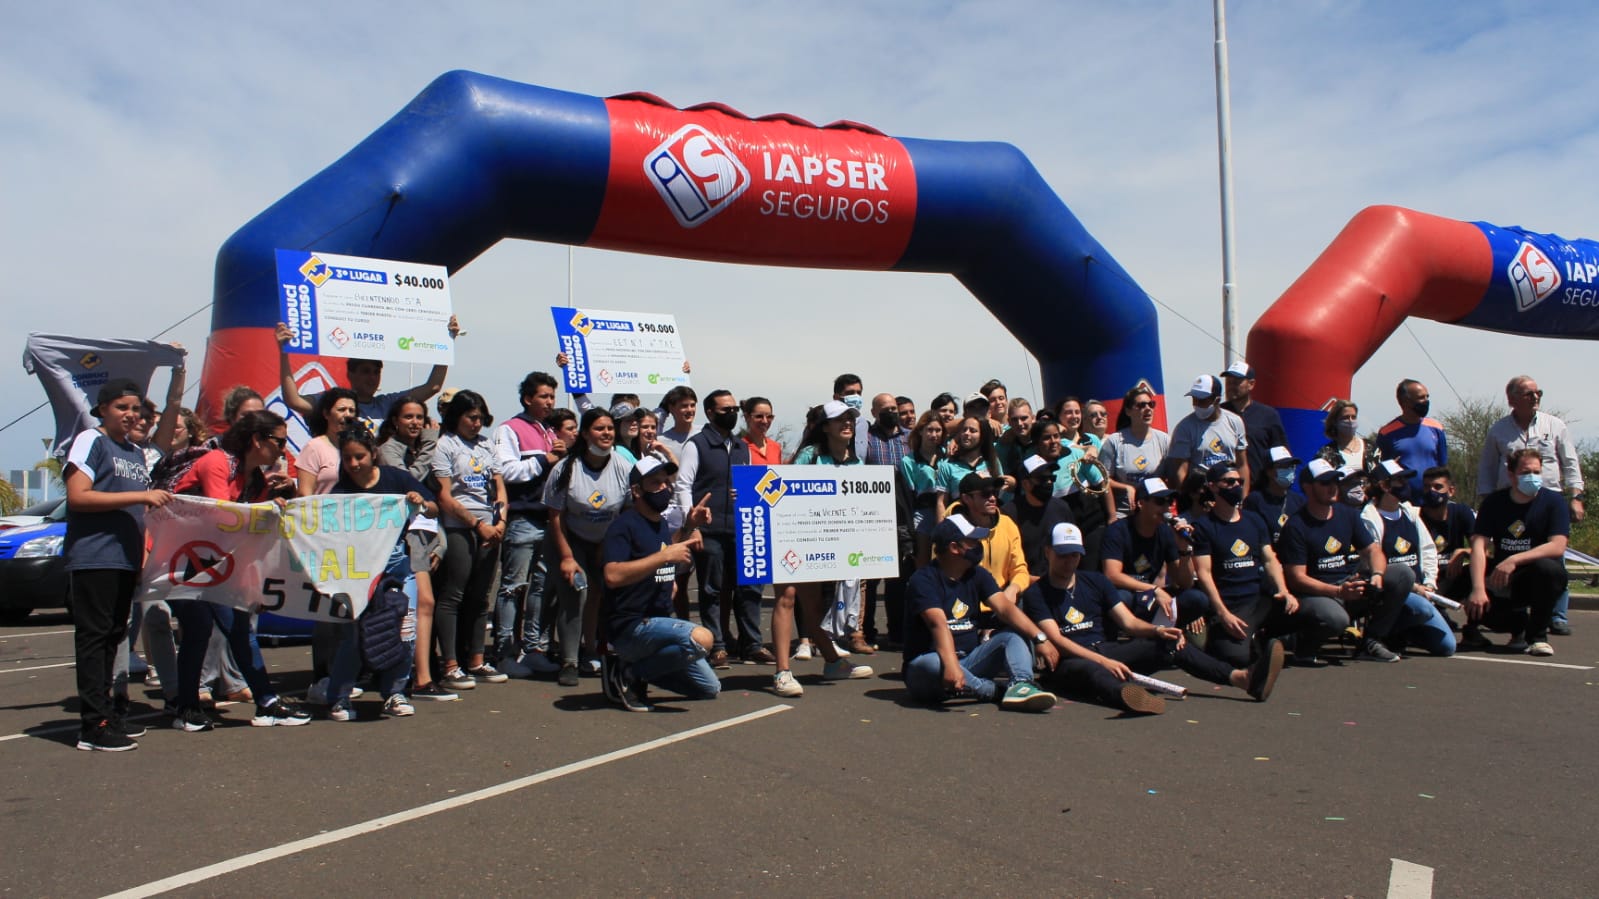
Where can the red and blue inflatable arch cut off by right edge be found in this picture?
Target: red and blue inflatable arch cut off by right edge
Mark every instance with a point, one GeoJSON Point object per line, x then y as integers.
{"type": "Point", "coordinates": [1392, 263]}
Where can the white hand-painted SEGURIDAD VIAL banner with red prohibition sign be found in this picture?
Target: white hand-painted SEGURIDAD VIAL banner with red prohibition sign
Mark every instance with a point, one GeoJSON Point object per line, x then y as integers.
{"type": "Point", "coordinates": [317, 559]}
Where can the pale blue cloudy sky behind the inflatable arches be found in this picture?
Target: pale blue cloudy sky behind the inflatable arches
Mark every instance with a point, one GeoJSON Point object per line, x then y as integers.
{"type": "Point", "coordinates": [138, 137]}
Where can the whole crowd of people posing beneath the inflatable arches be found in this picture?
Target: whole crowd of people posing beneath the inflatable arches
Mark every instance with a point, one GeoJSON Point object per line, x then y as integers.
{"type": "Point", "coordinates": [1040, 551]}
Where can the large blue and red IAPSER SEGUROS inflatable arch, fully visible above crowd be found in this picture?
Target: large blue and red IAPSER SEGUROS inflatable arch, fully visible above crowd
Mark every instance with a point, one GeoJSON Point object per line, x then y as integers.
{"type": "Point", "coordinates": [476, 159]}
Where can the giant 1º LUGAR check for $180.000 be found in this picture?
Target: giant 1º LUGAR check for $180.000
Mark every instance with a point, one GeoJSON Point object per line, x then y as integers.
{"type": "Point", "coordinates": [797, 524]}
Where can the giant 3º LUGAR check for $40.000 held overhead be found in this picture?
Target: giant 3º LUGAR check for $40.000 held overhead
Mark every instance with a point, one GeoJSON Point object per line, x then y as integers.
{"type": "Point", "coordinates": [354, 308]}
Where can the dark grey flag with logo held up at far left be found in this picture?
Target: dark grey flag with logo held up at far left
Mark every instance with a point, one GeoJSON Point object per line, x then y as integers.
{"type": "Point", "coordinates": [73, 370]}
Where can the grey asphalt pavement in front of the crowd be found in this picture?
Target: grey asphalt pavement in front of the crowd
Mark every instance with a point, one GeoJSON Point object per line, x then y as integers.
{"type": "Point", "coordinates": [1477, 775]}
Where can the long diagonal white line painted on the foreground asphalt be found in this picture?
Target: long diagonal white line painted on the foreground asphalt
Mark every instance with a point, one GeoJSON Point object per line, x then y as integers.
{"type": "Point", "coordinates": [201, 874]}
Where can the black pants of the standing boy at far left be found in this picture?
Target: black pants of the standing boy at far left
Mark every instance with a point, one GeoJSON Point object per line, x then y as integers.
{"type": "Point", "coordinates": [102, 602]}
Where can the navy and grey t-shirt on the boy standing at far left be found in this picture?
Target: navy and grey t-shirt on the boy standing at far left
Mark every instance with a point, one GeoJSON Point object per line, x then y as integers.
{"type": "Point", "coordinates": [116, 538]}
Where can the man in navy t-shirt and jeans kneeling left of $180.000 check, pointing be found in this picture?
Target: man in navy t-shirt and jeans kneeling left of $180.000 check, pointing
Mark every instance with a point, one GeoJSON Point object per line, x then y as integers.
{"type": "Point", "coordinates": [642, 554]}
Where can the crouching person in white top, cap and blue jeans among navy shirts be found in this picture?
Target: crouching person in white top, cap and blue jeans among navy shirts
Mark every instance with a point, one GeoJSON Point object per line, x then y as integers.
{"type": "Point", "coordinates": [1398, 529]}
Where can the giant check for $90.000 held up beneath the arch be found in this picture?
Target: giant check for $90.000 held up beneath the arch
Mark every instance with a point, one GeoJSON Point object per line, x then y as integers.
{"type": "Point", "coordinates": [620, 353]}
